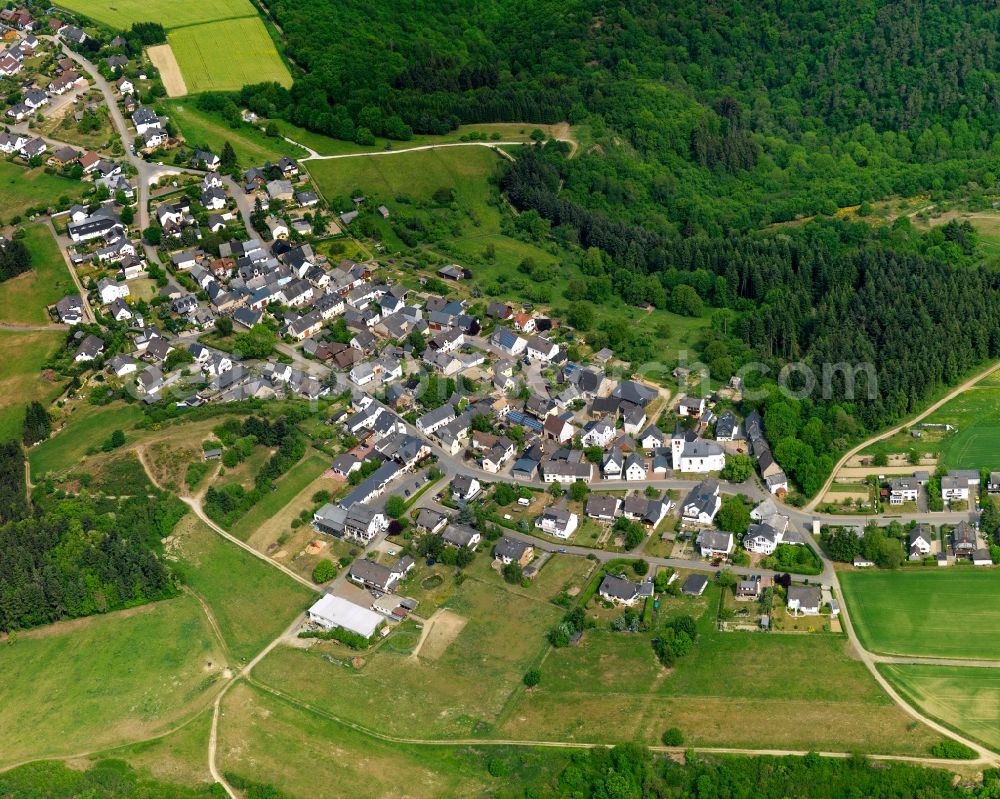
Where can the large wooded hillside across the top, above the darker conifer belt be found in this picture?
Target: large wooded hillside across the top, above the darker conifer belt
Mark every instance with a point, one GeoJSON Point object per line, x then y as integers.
{"type": "Point", "coordinates": [709, 116]}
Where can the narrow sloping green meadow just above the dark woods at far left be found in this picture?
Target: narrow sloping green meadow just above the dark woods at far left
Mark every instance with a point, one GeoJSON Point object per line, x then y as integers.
{"type": "Point", "coordinates": [87, 426]}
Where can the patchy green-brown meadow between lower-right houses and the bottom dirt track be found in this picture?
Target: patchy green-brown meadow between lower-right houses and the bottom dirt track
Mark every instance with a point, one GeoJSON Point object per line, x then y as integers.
{"type": "Point", "coordinates": [801, 690]}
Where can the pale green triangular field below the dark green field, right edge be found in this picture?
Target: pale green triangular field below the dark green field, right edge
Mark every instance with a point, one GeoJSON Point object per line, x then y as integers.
{"type": "Point", "coordinates": [965, 699]}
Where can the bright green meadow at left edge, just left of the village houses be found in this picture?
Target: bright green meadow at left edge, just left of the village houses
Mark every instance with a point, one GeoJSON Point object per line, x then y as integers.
{"type": "Point", "coordinates": [24, 299]}
